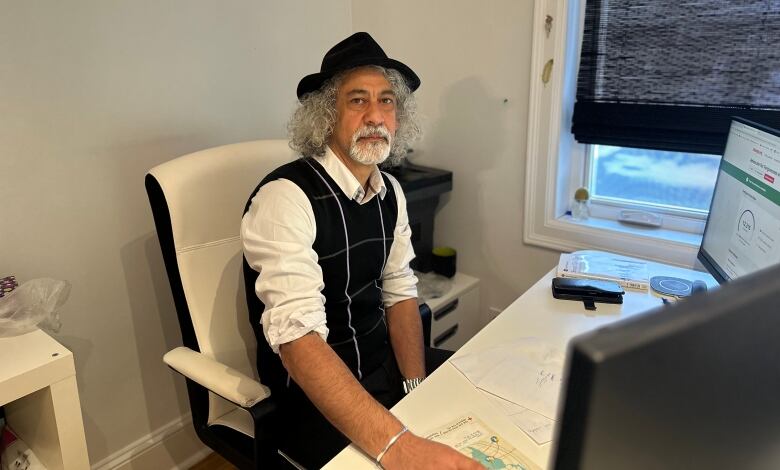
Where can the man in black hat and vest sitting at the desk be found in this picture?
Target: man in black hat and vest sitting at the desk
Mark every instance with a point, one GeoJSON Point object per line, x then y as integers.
{"type": "Point", "coordinates": [327, 250]}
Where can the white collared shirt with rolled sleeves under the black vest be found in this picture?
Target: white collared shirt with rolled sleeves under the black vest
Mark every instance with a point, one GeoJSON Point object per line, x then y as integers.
{"type": "Point", "coordinates": [278, 233]}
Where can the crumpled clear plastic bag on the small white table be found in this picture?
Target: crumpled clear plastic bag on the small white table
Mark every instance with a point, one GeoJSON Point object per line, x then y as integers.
{"type": "Point", "coordinates": [33, 304]}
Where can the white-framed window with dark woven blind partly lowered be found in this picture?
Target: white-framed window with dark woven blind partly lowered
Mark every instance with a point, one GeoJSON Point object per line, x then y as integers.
{"type": "Point", "coordinates": [675, 179]}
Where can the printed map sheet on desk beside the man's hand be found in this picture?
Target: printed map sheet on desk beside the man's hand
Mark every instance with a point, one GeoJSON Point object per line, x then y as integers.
{"type": "Point", "coordinates": [470, 436]}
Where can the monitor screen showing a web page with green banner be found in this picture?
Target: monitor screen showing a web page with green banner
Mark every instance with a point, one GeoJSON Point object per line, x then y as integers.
{"type": "Point", "coordinates": [743, 229]}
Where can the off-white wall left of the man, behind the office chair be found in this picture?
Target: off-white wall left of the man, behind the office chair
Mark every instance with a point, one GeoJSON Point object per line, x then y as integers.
{"type": "Point", "coordinates": [93, 94]}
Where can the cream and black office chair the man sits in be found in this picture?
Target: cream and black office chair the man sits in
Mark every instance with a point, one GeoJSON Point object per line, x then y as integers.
{"type": "Point", "coordinates": [197, 202]}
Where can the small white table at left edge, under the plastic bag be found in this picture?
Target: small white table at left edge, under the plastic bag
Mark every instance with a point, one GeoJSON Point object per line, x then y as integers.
{"type": "Point", "coordinates": [38, 391]}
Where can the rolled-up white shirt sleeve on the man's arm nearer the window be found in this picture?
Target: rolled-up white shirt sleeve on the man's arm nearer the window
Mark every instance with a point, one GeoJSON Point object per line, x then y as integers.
{"type": "Point", "coordinates": [398, 280]}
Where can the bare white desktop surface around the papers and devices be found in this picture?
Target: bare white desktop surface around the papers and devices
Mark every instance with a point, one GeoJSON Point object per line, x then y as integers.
{"type": "Point", "coordinates": [447, 395]}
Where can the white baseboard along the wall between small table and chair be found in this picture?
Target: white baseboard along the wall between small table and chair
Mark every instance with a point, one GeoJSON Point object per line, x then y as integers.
{"type": "Point", "coordinates": [173, 446]}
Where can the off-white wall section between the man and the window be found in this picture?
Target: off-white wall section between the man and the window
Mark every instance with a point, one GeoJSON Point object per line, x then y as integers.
{"type": "Point", "coordinates": [473, 59]}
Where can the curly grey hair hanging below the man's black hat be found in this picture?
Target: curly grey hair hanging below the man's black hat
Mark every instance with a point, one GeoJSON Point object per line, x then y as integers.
{"type": "Point", "coordinates": [312, 123]}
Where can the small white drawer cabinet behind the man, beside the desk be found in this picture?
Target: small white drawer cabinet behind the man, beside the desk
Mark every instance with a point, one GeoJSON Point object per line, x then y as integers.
{"type": "Point", "coordinates": [455, 315]}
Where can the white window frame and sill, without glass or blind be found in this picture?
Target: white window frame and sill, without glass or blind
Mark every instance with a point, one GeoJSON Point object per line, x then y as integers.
{"type": "Point", "coordinates": [555, 163]}
